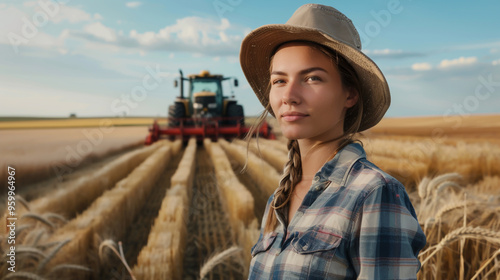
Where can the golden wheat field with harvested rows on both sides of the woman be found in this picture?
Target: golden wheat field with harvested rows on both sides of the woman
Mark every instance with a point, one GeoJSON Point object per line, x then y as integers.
{"type": "Point", "coordinates": [174, 211]}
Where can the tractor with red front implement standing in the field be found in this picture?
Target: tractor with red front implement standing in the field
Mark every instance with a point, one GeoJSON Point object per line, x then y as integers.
{"type": "Point", "coordinates": [205, 113]}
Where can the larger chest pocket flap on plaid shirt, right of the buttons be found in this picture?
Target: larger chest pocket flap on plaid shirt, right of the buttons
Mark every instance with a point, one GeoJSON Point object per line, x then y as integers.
{"type": "Point", "coordinates": [316, 240]}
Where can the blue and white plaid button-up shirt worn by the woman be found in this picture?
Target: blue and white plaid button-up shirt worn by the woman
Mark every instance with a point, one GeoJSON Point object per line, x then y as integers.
{"type": "Point", "coordinates": [355, 222]}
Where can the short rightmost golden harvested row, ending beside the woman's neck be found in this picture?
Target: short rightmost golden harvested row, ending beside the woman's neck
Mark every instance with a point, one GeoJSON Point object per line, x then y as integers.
{"type": "Point", "coordinates": [275, 157]}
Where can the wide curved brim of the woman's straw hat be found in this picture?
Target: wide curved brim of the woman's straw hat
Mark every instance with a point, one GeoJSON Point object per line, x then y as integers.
{"type": "Point", "coordinates": [259, 45]}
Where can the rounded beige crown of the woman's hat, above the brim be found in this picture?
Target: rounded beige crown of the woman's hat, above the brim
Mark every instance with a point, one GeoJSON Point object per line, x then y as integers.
{"type": "Point", "coordinates": [328, 21]}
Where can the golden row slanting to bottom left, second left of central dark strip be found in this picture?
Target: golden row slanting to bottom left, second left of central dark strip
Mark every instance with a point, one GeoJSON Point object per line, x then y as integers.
{"type": "Point", "coordinates": [109, 216]}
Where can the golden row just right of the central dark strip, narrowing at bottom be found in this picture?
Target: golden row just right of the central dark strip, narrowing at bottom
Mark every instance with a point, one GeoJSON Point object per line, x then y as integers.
{"type": "Point", "coordinates": [238, 202]}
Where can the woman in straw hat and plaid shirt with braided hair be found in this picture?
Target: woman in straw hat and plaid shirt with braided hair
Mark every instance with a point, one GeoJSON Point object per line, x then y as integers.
{"type": "Point", "coordinates": [335, 215]}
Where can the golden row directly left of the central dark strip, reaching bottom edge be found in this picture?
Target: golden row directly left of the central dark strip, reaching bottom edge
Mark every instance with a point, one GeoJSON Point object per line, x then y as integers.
{"type": "Point", "coordinates": [162, 257]}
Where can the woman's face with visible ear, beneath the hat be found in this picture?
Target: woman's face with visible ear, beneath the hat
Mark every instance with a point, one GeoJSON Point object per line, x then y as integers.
{"type": "Point", "coordinates": [307, 96]}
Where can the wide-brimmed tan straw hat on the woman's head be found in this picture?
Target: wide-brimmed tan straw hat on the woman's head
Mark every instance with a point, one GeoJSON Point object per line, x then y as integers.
{"type": "Point", "coordinates": [328, 27]}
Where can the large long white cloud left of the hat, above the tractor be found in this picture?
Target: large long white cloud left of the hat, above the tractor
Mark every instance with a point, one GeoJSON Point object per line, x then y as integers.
{"type": "Point", "coordinates": [190, 34]}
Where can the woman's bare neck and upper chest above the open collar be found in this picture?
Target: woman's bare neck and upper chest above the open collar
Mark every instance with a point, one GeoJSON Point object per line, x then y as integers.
{"type": "Point", "coordinates": [314, 155]}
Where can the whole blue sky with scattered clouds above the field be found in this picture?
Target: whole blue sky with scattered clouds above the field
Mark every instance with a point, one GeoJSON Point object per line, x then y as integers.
{"type": "Point", "coordinates": [111, 58]}
